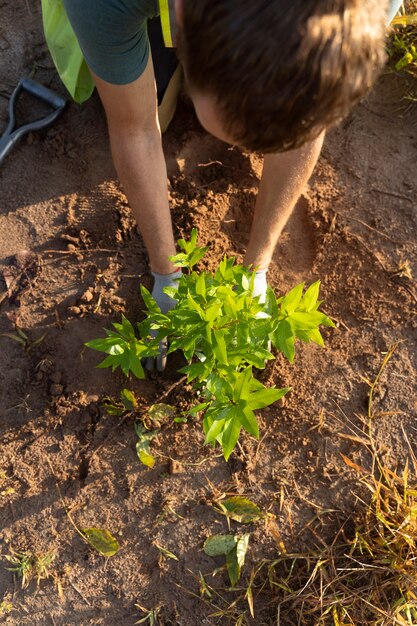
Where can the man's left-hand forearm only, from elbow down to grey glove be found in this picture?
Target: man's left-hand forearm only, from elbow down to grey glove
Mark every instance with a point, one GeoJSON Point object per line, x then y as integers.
{"type": "Point", "coordinates": [140, 164]}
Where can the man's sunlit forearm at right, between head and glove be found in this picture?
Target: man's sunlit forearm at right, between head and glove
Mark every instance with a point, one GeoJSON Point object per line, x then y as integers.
{"type": "Point", "coordinates": [284, 178]}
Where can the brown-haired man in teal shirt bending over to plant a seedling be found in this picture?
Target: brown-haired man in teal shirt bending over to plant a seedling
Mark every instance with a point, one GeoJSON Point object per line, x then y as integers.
{"type": "Point", "coordinates": [268, 75]}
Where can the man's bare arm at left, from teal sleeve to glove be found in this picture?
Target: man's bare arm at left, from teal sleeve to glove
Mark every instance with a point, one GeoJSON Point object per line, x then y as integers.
{"type": "Point", "coordinates": [135, 139]}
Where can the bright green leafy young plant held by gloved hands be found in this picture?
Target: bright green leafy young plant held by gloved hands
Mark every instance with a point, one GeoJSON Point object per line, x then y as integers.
{"type": "Point", "coordinates": [223, 332]}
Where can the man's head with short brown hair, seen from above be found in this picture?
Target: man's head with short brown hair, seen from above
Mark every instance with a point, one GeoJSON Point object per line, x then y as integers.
{"type": "Point", "coordinates": [270, 75]}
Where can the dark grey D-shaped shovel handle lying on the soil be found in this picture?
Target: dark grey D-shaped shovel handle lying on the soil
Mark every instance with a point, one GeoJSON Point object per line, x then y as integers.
{"type": "Point", "coordinates": [12, 135]}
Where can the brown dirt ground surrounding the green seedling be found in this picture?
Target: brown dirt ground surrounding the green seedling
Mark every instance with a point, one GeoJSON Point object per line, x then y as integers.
{"type": "Point", "coordinates": [71, 262]}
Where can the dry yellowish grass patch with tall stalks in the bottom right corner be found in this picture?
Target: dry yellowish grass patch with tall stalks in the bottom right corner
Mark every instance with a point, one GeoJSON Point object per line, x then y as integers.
{"type": "Point", "coordinates": [367, 576]}
